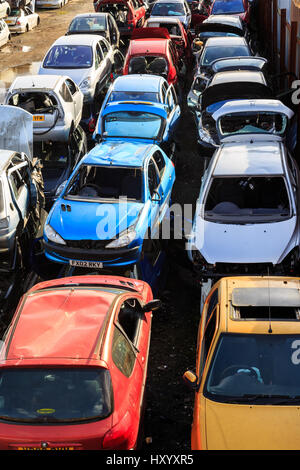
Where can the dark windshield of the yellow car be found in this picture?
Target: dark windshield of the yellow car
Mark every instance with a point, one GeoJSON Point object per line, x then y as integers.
{"type": "Point", "coordinates": [247, 368]}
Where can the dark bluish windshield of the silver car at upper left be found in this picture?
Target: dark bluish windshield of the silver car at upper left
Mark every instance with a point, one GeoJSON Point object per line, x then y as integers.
{"type": "Point", "coordinates": [69, 57]}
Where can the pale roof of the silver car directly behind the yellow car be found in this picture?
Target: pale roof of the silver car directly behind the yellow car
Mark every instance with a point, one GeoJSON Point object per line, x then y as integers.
{"type": "Point", "coordinates": [244, 159]}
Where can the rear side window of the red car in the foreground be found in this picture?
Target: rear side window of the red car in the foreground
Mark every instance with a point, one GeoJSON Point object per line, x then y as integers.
{"type": "Point", "coordinates": [122, 353]}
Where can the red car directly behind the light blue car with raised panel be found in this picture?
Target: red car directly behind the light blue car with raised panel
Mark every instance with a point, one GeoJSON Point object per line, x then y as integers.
{"type": "Point", "coordinates": [151, 50]}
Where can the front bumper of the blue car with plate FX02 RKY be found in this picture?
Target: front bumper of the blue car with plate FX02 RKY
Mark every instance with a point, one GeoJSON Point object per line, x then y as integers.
{"type": "Point", "coordinates": [109, 257]}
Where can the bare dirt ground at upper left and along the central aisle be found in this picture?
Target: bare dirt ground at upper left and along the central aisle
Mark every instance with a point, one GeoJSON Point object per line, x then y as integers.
{"type": "Point", "coordinates": [169, 403]}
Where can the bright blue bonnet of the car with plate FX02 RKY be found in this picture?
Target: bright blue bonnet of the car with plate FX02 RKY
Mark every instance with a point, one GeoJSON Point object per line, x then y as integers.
{"type": "Point", "coordinates": [69, 224]}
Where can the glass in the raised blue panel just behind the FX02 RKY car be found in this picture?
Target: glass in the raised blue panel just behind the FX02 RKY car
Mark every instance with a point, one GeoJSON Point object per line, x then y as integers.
{"type": "Point", "coordinates": [136, 124]}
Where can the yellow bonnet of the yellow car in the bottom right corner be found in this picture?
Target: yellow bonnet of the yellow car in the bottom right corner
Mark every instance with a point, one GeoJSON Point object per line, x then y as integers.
{"type": "Point", "coordinates": [245, 427]}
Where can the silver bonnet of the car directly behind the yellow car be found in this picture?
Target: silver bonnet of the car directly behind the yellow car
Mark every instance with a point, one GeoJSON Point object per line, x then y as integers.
{"type": "Point", "coordinates": [253, 243]}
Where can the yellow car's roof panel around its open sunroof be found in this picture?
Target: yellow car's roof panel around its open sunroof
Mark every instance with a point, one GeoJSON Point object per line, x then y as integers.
{"type": "Point", "coordinates": [234, 288]}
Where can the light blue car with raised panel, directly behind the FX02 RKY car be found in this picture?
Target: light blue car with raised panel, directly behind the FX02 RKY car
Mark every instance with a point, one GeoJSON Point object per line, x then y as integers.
{"type": "Point", "coordinates": [146, 116]}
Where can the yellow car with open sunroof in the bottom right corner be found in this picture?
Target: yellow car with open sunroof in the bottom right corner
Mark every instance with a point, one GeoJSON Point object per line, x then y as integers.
{"type": "Point", "coordinates": [247, 381]}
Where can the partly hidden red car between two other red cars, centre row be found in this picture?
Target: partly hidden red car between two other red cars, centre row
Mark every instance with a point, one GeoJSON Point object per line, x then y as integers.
{"type": "Point", "coordinates": [177, 33]}
